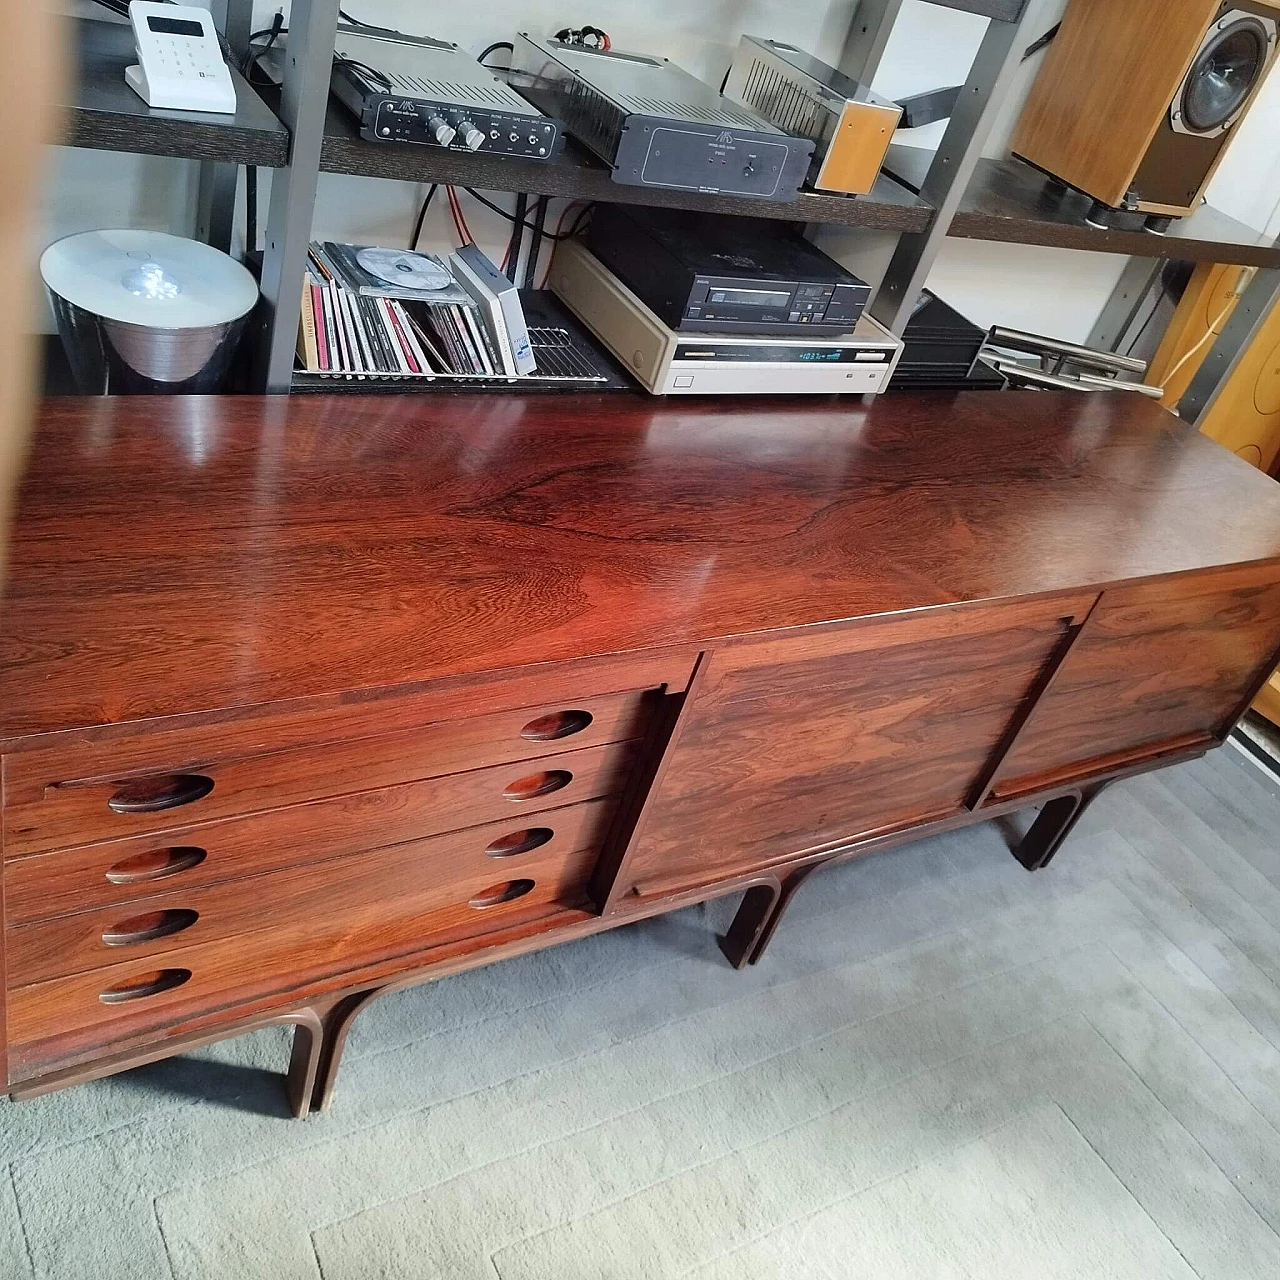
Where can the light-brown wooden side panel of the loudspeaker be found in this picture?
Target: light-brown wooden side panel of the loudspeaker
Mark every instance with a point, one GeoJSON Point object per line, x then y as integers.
{"type": "Point", "coordinates": [1107, 83]}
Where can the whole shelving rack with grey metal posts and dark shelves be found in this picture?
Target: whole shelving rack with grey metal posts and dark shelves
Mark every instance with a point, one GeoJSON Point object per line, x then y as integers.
{"type": "Point", "coordinates": [953, 191]}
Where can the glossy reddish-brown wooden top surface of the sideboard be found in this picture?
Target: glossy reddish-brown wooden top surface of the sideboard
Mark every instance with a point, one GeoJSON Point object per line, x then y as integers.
{"type": "Point", "coordinates": [179, 555]}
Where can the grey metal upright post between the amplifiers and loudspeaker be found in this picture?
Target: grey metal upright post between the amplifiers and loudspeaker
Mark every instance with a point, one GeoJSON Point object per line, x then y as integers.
{"type": "Point", "coordinates": [977, 112]}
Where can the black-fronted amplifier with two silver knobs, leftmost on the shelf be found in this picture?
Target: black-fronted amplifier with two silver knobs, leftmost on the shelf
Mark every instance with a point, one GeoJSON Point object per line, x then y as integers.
{"type": "Point", "coordinates": [405, 89]}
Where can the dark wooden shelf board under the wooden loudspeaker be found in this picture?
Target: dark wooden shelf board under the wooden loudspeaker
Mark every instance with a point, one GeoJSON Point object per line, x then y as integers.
{"type": "Point", "coordinates": [1013, 203]}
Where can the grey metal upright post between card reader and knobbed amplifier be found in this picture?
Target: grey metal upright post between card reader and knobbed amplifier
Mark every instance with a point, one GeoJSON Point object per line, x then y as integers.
{"type": "Point", "coordinates": [304, 99]}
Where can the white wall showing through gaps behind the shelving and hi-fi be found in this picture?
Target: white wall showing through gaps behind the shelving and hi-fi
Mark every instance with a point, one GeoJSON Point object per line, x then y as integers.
{"type": "Point", "coordinates": [1048, 291]}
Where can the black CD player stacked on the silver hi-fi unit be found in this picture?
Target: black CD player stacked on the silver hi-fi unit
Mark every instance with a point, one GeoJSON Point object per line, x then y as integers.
{"type": "Point", "coordinates": [711, 275]}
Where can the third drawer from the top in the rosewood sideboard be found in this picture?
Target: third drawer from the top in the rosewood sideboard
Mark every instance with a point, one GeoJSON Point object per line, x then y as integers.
{"type": "Point", "coordinates": [429, 874]}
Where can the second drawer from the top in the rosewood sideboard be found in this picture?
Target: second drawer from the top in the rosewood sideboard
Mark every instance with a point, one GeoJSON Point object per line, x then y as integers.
{"type": "Point", "coordinates": [126, 871]}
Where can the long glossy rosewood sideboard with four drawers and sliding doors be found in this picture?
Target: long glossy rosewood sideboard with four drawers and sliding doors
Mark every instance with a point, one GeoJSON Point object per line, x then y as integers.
{"type": "Point", "coordinates": [304, 701]}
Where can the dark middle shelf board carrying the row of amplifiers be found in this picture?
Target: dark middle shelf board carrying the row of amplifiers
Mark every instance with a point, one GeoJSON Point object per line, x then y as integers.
{"type": "Point", "coordinates": [577, 176]}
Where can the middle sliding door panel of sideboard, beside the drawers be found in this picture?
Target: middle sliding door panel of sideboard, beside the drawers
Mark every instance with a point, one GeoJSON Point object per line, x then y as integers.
{"type": "Point", "coordinates": [828, 739]}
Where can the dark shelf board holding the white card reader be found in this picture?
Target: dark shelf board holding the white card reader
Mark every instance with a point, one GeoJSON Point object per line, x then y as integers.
{"type": "Point", "coordinates": [108, 116]}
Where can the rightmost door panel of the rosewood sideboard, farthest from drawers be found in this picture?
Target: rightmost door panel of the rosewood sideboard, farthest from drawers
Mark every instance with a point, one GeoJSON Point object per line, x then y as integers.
{"type": "Point", "coordinates": [1159, 664]}
